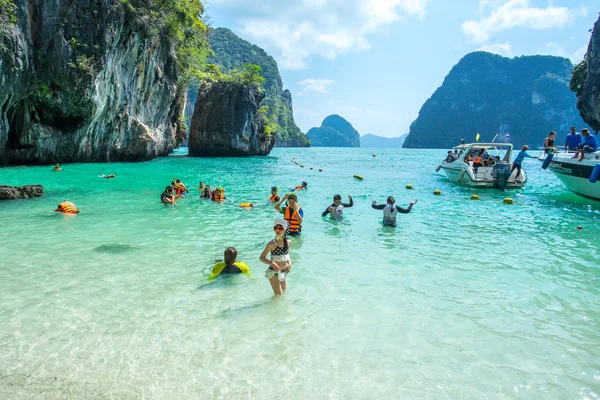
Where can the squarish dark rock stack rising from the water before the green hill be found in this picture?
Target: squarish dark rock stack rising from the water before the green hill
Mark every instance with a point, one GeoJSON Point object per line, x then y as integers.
{"type": "Point", "coordinates": [226, 122]}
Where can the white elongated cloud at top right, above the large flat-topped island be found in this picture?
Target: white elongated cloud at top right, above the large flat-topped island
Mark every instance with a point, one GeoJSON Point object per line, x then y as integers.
{"type": "Point", "coordinates": [517, 13]}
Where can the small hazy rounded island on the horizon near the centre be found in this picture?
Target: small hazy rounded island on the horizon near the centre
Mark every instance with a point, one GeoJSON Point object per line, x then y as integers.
{"type": "Point", "coordinates": [334, 131]}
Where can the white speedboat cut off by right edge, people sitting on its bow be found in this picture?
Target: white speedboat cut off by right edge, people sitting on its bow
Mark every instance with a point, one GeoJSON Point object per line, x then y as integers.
{"type": "Point", "coordinates": [574, 174]}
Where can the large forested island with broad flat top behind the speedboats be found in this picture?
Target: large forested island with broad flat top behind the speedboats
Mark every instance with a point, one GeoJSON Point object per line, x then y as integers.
{"type": "Point", "coordinates": [488, 94]}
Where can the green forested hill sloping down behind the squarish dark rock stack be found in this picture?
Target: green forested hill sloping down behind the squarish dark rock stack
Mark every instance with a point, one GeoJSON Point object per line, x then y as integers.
{"type": "Point", "coordinates": [231, 53]}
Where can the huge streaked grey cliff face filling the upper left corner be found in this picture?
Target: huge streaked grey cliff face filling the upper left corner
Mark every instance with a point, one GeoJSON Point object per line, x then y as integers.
{"type": "Point", "coordinates": [85, 81]}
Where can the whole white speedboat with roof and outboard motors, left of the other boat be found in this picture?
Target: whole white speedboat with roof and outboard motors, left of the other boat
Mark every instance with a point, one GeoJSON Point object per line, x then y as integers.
{"type": "Point", "coordinates": [496, 175]}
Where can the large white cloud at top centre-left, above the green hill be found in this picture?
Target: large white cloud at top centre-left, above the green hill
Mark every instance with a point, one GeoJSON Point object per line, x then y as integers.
{"type": "Point", "coordinates": [295, 31]}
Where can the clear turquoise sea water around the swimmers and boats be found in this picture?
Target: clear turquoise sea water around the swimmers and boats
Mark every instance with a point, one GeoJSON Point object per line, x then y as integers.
{"type": "Point", "coordinates": [464, 299]}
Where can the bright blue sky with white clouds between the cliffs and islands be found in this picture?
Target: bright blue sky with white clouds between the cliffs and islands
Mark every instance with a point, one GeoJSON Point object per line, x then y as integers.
{"type": "Point", "coordinates": [375, 62]}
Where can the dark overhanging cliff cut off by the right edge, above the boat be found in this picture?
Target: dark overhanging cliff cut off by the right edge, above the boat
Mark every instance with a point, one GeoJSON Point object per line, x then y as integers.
{"type": "Point", "coordinates": [589, 100]}
